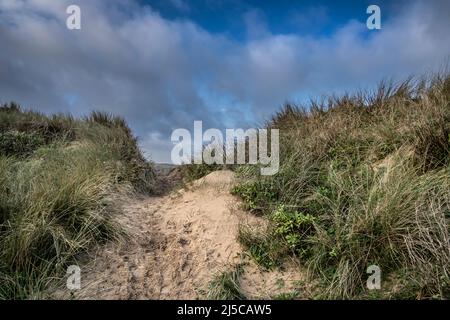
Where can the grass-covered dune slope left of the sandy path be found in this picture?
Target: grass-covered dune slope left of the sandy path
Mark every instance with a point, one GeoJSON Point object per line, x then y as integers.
{"type": "Point", "coordinates": [58, 178]}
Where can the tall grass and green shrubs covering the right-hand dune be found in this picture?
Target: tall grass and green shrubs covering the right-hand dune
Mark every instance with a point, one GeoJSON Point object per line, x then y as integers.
{"type": "Point", "coordinates": [364, 179]}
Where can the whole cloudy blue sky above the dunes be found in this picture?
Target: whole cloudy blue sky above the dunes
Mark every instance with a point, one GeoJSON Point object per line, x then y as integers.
{"type": "Point", "coordinates": [163, 64]}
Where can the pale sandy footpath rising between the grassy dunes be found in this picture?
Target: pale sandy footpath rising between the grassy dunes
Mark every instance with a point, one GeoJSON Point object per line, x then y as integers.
{"type": "Point", "coordinates": [177, 243]}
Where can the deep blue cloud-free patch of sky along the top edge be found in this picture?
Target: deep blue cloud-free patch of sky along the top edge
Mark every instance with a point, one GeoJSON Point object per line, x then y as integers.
{"type": "Point", "coordinates": [316, 18]}
